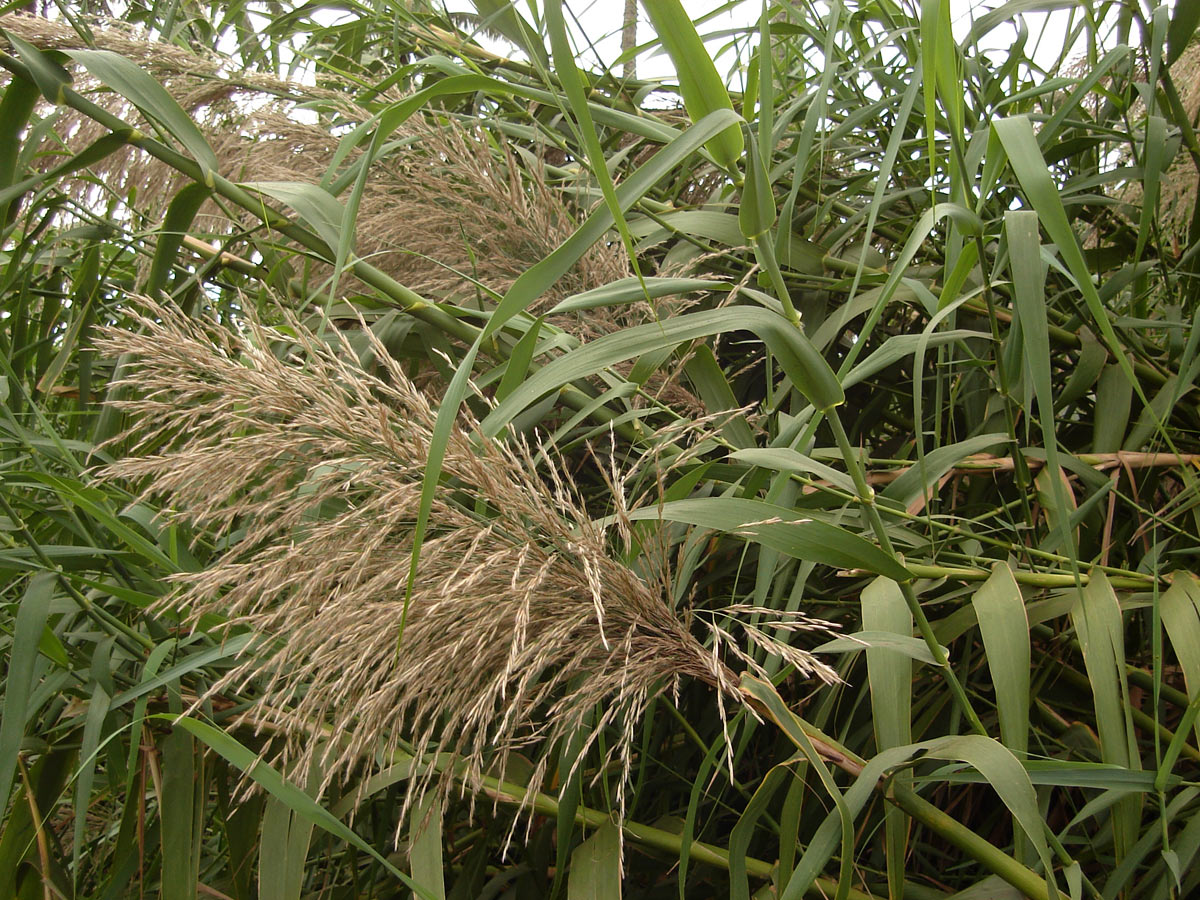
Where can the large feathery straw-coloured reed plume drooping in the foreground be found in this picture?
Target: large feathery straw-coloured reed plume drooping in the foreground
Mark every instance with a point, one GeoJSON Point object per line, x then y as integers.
{"type": "Point", "coordinates": [521, 629]}
